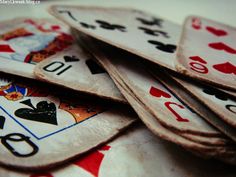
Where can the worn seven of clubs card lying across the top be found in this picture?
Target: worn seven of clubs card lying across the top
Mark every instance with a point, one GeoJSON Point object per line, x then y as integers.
{"type": "Point", "coordinates": [143, 34]}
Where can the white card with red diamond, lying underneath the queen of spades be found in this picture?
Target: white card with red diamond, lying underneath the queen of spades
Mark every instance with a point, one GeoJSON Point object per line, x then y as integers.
{"type": "Point", "coordinates": [134, 154]}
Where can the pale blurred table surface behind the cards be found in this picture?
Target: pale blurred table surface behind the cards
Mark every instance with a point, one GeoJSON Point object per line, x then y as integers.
{"type": "Point", "coordinates": [174, 10]}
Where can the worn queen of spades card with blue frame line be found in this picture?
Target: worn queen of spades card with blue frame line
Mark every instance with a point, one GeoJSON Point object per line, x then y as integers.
{"type": "Point", "coordinates": [42, 126]}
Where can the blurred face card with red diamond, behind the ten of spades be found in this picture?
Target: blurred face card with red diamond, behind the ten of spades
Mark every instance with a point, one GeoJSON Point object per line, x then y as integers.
{"type": "Point", "coordinates": [25, 42]}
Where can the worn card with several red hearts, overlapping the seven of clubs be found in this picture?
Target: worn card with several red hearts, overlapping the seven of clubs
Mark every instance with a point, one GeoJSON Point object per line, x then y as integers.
{"type": "Point", "coordinates": [207, 51]}
